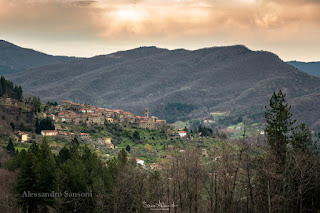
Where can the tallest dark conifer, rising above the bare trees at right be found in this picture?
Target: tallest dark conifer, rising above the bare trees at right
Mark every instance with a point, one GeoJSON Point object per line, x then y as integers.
{"type": "Point", "coordinates": [279, 122]}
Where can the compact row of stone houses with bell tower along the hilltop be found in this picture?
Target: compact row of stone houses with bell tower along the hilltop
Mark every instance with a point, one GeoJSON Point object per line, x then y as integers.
{"type": "Point", "coordinates": [89, 115]}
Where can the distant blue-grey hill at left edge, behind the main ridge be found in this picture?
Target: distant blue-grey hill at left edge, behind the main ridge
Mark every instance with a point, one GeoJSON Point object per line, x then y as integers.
{"type": "Point", "coordinates": [15, 59]}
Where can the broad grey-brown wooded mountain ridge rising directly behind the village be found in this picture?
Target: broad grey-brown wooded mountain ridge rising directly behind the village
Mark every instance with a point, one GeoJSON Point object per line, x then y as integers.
{"type": "Point", "coordinates": [179, 84]}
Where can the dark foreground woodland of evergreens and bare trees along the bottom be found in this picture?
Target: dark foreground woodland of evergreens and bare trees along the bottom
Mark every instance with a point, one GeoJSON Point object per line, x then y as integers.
{"type": "Point", "coordinates": [231, 176]}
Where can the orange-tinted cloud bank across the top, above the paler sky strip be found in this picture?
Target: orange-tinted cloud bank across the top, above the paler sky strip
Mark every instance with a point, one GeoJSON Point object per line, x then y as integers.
{"type": "Point", "coordinates": [150, 17]}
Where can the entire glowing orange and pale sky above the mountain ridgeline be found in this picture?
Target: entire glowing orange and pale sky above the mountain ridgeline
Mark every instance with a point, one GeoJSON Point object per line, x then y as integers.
{"type": "Point", "coordinates": [288, 28]}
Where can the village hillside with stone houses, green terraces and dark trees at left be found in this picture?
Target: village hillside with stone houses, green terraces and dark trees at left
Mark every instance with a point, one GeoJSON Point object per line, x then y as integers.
{"type": "Point", "coordinates": [28, 121]}
